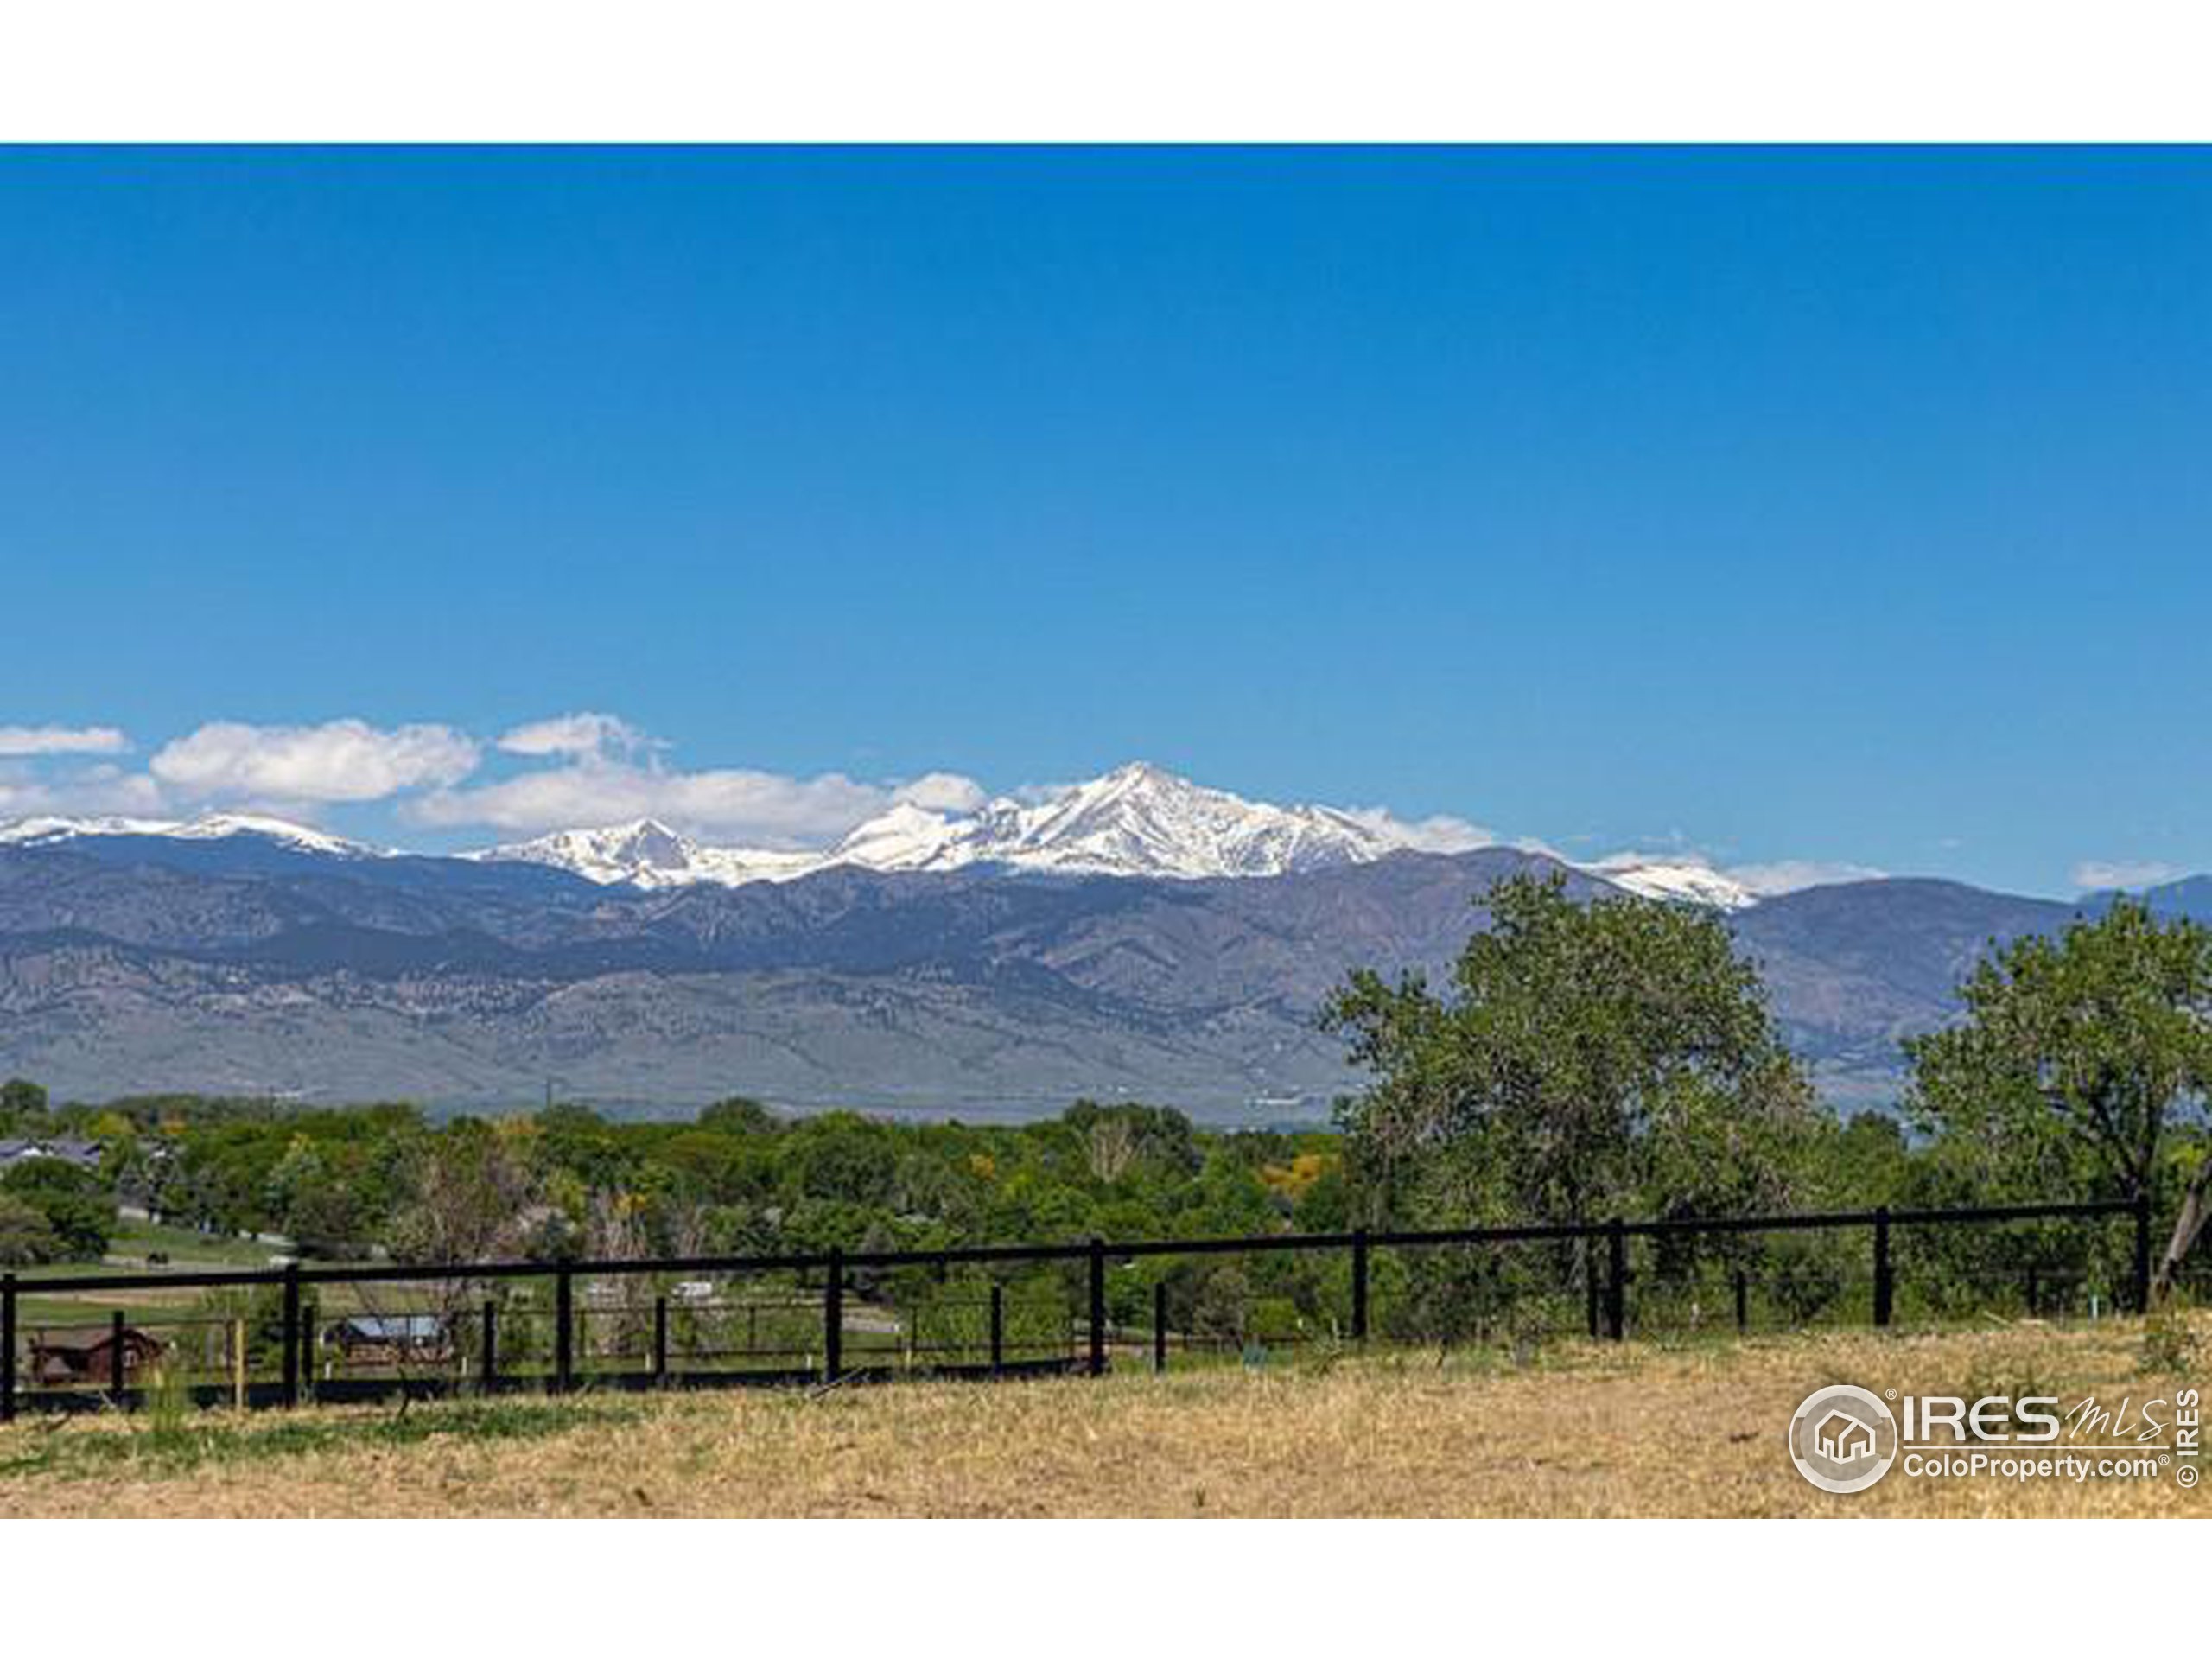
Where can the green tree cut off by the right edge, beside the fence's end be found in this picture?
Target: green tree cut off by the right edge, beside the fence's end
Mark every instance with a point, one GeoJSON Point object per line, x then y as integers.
{"type": "Point", "coordinates": [2083, 1065]}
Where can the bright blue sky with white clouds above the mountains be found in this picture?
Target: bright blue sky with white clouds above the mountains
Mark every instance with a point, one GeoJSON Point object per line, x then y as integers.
{"type": "Point", "coordinates": [1773, 505]}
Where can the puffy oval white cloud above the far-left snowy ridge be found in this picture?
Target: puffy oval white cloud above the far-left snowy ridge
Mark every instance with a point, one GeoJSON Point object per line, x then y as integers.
{"type": "Point", "coordinates": [313, 764]}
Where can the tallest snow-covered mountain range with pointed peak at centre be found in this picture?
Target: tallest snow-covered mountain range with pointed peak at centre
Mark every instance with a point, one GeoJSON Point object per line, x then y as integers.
{"type": "Point", "coordinates": [1134, 822]}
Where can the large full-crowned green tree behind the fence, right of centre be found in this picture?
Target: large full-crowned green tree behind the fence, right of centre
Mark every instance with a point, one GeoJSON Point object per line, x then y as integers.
{"type": "Point", "coordinates": [1592, 1058]}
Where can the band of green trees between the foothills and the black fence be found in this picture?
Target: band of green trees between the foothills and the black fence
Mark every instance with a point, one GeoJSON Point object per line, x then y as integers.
{"type": "Point", "coordinates": [1583, 1061]}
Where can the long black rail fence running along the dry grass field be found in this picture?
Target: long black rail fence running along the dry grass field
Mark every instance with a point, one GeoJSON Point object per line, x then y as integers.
{"type": "Point", "coordinates": [373, 1331]}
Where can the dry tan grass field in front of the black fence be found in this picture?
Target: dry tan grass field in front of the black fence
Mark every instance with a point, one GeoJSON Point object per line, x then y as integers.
{"type": "Point", "coordinates": [1583, 1430]}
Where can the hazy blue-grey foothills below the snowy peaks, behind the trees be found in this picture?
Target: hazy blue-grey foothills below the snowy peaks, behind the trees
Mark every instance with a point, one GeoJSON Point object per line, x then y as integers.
{"type": "Point", "coordinates": [132, 966]}
